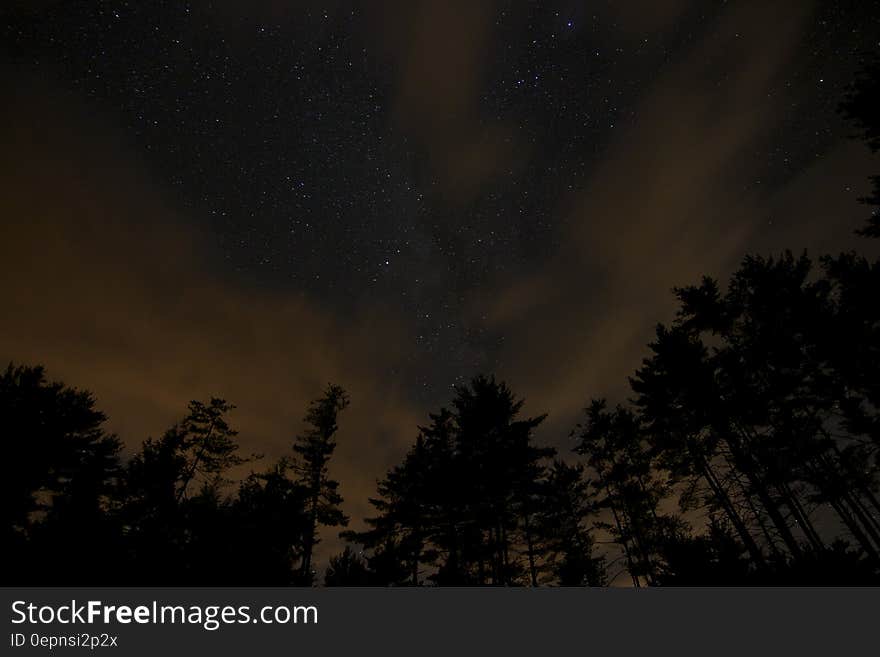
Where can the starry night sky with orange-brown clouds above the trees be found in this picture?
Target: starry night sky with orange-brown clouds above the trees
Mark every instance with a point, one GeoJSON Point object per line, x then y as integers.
{"type": "Point", "coordinates": [253, 199]}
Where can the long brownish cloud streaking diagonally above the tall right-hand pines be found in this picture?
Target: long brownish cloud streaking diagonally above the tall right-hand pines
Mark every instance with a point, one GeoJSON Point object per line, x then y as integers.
{"type": "Point", "coordinates": [669, 201]}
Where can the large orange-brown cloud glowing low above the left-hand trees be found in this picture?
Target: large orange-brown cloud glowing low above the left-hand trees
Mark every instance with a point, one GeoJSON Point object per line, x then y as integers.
{"type": "Point", "coordinates": [107, 283]}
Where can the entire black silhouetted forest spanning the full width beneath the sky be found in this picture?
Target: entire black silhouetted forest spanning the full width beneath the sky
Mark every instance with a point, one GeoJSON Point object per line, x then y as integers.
{"type": "Point", "coordinates": [747, 454]}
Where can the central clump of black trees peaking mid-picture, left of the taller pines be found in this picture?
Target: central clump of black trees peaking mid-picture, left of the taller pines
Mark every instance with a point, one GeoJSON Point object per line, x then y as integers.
{"type": "Point", "coordinates": [475, 502]}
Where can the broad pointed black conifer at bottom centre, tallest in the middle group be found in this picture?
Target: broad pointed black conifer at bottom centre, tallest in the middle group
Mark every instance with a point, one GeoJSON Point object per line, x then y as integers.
{"type": "Point", "coordinates": [464, 504]}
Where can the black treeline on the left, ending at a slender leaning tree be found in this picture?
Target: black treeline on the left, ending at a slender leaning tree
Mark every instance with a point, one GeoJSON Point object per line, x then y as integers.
{"type": "Point", "coordinates": [74, 512]}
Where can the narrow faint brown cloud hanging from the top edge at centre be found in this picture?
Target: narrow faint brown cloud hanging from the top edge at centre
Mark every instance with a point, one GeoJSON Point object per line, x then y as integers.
{"type": "Point", "coordinates": [439, 54]}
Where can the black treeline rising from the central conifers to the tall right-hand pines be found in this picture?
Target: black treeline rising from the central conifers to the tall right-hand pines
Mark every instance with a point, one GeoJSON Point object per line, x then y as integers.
{"type": "Point", "coordinates": [748, 453]}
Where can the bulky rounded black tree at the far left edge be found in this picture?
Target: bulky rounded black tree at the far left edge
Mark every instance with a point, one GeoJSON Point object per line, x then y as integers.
{"type": "Point", "coordinates": [61, 466]}
